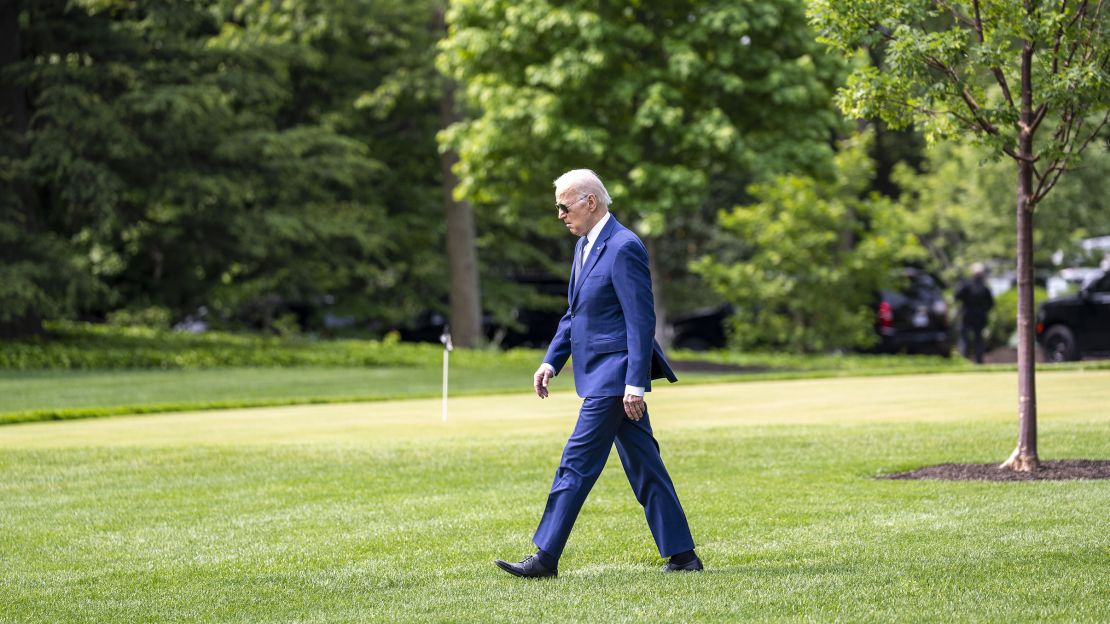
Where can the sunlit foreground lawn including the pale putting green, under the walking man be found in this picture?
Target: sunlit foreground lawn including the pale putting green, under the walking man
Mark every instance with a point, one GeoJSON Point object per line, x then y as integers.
{"type": "Point", "coordinates": [380, 512]}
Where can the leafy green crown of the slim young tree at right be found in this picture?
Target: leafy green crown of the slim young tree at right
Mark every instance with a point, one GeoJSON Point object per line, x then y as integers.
{"type": "Point", "coordinates": [954, 68]}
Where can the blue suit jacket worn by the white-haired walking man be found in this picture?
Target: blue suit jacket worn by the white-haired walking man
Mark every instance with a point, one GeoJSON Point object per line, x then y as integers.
{"type": "Point", "coordinates": [610, 326]}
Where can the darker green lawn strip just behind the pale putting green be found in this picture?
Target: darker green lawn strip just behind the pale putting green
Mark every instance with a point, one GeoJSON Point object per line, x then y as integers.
{"type": "Point", "coordinates": [32, 396]}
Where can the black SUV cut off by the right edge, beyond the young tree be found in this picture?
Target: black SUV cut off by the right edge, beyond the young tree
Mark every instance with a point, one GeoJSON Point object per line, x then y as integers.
{"type": "Point", "coordinates": [1072, 327]}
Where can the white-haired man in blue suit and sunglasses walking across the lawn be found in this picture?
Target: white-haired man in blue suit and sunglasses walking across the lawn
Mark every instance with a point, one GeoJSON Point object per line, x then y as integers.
{"type": "Point", "coordinates": [609, 329]}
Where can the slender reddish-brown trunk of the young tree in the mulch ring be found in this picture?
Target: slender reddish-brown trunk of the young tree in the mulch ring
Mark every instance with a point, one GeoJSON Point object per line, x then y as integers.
{"type": "Point", "coordinates": [1025, 458]}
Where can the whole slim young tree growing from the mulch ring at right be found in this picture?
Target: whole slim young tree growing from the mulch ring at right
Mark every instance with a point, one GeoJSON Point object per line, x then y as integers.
{"type": "Point", "coordinates": [997, 74]}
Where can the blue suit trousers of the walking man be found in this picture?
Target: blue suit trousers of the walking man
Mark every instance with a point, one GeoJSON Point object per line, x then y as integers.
{"type": "Point", "coordinates": [601, 422]}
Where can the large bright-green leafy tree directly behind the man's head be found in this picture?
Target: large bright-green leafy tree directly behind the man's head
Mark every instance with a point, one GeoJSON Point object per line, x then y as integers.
{"type": "Point", "coordinates": [664, 100]}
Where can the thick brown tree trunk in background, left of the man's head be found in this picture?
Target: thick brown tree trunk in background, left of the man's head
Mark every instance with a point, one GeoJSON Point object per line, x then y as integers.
{"type": "Point", "coordinates": [462, 250]}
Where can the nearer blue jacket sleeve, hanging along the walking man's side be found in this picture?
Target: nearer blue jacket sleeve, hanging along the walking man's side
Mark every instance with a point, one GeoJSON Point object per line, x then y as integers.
{"type": "Point", "coordinates": [632, 280]}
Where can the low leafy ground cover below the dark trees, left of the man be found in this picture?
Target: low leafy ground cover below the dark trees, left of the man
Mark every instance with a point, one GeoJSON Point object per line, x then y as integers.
{"type": "Point", "coordinates": [88, 347]}
